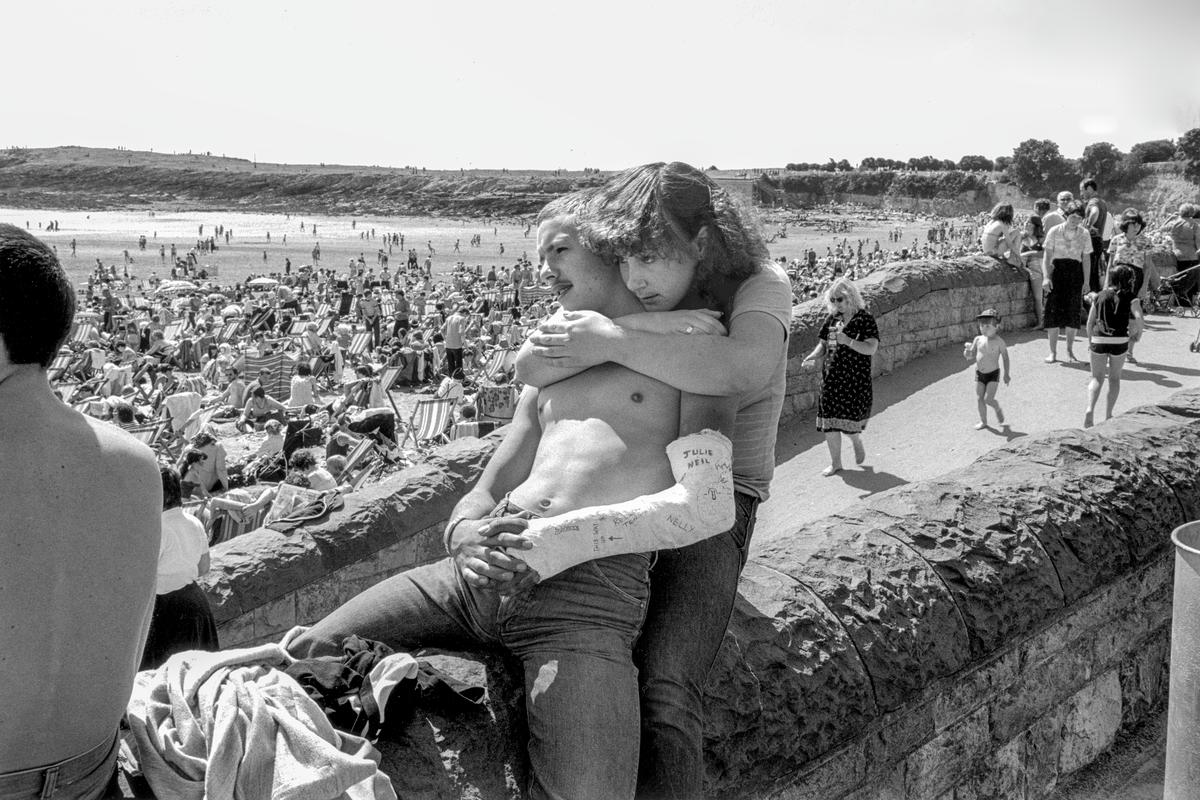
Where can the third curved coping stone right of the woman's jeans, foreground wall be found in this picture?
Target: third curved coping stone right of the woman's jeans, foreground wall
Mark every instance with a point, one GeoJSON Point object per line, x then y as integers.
{"type": "Point", "coordinates": [1003, 580]}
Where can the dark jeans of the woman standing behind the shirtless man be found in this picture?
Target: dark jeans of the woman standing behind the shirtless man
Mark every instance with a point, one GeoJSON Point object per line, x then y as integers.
{"type": "Point", "coordinates": [693, 593]}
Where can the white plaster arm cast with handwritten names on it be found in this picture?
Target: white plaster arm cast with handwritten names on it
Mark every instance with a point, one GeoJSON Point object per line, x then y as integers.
{"type": "Point", "coordinates": [698, 507]}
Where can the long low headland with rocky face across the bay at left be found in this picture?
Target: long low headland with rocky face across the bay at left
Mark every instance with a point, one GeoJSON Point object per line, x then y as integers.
{"type": "Point", "coordinates": [82, 178]}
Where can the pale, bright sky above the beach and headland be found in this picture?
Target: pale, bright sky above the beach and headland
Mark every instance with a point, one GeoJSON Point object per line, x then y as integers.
{"type": "Point", "coordinates": [533, 85]}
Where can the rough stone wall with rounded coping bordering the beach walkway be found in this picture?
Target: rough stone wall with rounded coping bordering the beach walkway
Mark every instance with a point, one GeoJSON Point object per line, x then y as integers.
{"type": "Point", "coordinates": [975, 636]}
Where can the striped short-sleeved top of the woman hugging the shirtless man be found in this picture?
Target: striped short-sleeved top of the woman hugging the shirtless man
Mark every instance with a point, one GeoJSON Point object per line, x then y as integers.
{"type": "Point", "coordinates": [757, 425]}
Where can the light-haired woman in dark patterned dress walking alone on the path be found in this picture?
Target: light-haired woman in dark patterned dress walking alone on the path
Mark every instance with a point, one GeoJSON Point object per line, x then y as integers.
{"type": "Point", "coordinates": [849, 340]}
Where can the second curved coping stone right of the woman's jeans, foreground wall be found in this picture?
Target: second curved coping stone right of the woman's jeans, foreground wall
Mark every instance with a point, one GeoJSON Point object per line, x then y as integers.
{"type": "Point", "coordinates": [897, 610]}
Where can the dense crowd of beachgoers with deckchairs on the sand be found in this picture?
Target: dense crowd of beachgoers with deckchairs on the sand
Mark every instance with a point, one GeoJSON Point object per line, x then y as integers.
{"type": "Point", "coordinates": [327, 378]}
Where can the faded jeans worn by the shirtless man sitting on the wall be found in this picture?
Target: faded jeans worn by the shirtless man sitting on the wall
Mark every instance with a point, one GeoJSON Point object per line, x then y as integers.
{"type": "Point", "coordinates": [574, 635]}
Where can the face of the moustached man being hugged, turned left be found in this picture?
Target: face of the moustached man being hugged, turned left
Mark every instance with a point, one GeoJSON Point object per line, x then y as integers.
{"type": "Point", "coordinates": [580, 280]}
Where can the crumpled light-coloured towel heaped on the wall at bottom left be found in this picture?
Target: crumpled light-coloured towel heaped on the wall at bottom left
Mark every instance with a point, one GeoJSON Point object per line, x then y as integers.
{"type": "Point", "coordinates": [232, 725]}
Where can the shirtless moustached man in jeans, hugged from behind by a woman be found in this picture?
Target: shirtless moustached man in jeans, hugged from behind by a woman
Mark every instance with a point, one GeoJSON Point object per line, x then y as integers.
{"type": "Point", "coordinates": [596, 440]}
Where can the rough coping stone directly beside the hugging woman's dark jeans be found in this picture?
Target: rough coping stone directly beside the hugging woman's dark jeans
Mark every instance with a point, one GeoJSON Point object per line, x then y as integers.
{"type": "Point", "coordinates": [788, 682]}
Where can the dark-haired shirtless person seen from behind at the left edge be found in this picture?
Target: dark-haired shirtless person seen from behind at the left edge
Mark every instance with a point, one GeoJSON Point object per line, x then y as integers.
{"type": "Point", "coordinates": [80, 532]}
